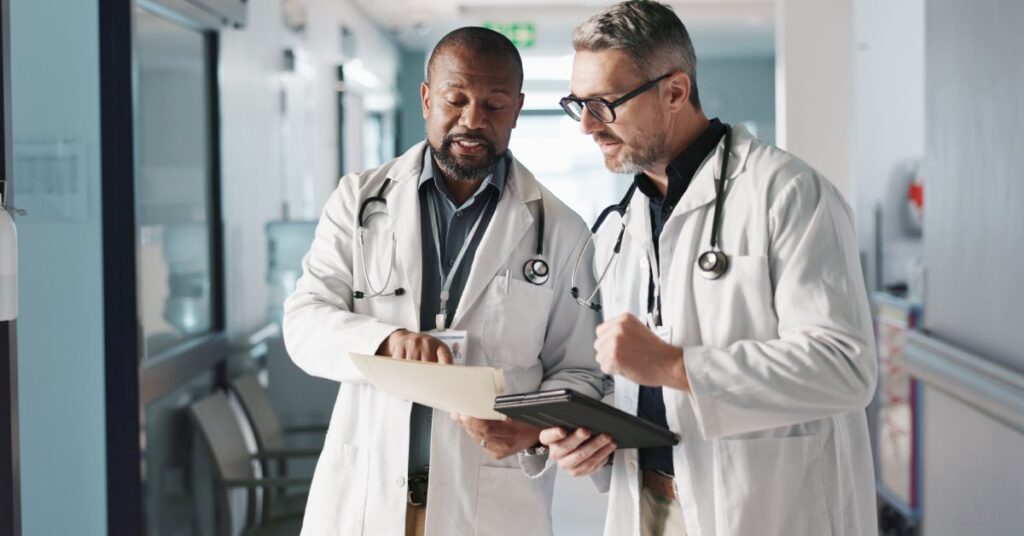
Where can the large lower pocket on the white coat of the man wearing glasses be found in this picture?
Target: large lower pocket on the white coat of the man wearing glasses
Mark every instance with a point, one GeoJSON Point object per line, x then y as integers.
{"type": "Point", "coordinates": [772, 487]}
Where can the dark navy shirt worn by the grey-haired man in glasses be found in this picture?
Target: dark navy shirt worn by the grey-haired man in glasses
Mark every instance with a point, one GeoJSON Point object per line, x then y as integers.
{"type": "Point", "coordinates": [680, 174]}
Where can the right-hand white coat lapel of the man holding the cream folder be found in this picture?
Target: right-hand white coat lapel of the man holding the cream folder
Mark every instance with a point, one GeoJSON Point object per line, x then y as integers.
{"type": "Point", "coordinates": [507, 229]}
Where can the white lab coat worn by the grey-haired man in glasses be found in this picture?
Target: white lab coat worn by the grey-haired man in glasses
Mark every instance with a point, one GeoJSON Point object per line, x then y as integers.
{"type": "Point", "coordinates": [780, 353]}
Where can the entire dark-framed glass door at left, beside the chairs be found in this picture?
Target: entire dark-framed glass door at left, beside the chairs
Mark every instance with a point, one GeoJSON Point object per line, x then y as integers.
{"type": "Point", "coordinates": [165, 341]}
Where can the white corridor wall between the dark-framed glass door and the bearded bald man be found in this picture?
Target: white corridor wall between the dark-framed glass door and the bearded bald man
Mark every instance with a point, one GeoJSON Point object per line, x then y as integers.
{"type": "Point", "coordinates": [261, 145]}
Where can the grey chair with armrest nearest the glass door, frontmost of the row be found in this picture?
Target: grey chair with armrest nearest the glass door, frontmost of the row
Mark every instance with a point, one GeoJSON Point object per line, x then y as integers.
{"type": "Point", "coordinates": [234, 469]}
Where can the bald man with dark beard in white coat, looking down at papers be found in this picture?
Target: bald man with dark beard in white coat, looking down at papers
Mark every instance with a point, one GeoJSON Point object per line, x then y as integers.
{"type": "Point", "coordinates": [455, 240]}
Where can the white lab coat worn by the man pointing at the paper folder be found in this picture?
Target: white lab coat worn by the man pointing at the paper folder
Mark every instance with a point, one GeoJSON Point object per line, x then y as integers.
{"type": "Point", "coordinates": [537, 335]}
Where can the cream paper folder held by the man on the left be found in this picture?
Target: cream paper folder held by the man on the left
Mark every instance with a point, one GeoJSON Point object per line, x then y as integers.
{"type": "Point", "coordinates": [455, 389]}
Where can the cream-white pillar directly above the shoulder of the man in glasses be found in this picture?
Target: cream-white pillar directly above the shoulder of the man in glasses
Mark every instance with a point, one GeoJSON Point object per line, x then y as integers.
{"type": "Point", "coordinates": [813, 85]}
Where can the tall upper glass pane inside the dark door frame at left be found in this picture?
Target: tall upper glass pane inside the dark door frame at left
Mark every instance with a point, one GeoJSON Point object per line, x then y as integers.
{"type": "Point", "coordinates": [174, 178]}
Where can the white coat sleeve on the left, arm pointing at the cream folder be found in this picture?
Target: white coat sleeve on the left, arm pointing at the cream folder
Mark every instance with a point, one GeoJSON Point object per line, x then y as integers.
{"type": "Point", "coordinates": [319, 325]}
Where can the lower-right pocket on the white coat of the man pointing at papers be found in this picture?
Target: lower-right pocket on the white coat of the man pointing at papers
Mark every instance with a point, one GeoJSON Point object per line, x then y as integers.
{"type": "Point", "coordinates": [510, 504]}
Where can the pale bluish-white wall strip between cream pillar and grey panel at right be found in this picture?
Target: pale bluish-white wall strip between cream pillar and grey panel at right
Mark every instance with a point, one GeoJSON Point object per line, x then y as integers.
{"type": "Point", "coordinates": [887, 126]}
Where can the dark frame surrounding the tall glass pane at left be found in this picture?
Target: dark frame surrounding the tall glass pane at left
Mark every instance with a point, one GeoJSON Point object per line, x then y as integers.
{"type": "Point", "coordinates": [134, 382]}
